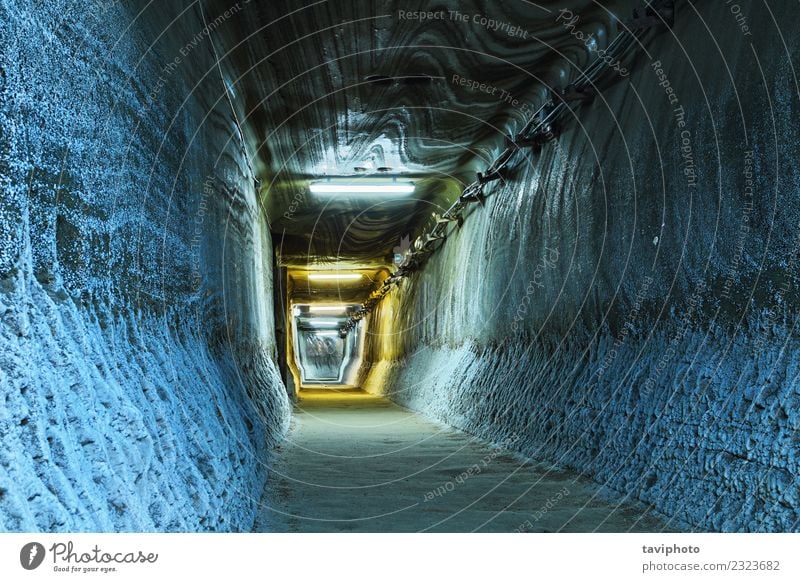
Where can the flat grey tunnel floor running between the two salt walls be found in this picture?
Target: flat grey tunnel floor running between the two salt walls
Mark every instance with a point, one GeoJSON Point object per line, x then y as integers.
{"type": "Point", "coordinates": [353, 462]}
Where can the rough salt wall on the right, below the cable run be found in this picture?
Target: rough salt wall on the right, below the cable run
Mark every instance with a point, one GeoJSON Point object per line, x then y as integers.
{"type": "Point", "coordinates": [621, 320]}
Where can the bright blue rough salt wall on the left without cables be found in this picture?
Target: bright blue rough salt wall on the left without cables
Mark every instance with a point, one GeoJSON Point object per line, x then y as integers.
{"type": "Point", "coordinates": [135, 277]}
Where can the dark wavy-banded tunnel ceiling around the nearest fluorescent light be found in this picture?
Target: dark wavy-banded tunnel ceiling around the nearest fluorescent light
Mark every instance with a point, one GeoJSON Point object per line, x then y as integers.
{"type": "Point", "coordinates": [329, 86]}
